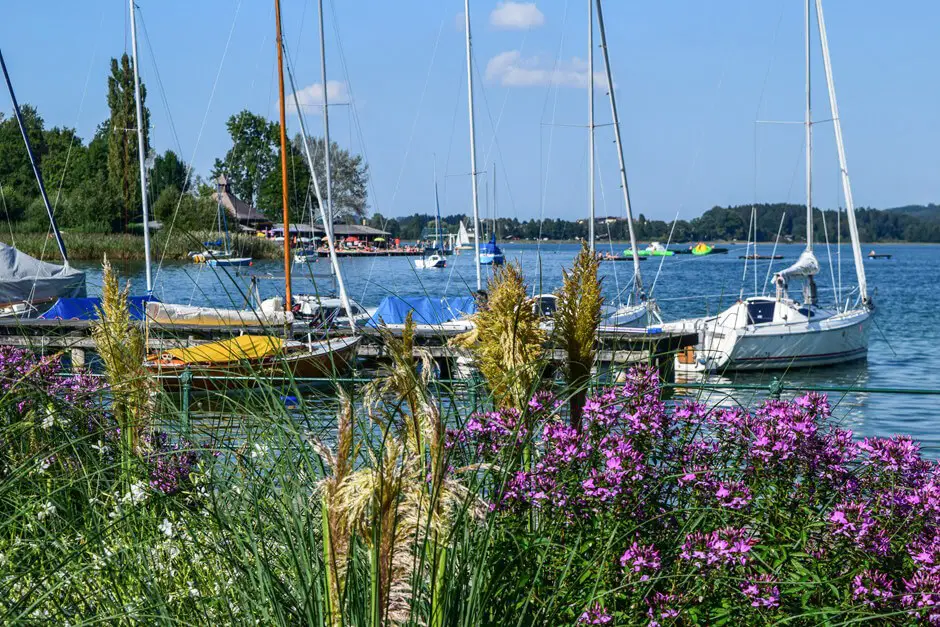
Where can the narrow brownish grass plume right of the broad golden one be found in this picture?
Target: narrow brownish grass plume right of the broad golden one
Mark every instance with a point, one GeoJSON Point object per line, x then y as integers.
{"type": "Point", "coordinates": [576, 321]}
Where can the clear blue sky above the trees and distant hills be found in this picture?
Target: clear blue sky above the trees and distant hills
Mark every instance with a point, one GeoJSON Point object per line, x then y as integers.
{"type": "Point", "coordinates": [691, 78]}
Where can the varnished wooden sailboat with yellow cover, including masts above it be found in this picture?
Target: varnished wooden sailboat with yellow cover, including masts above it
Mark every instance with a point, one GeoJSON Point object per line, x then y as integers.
{"type": "Point", "coordinates": [269, 355]}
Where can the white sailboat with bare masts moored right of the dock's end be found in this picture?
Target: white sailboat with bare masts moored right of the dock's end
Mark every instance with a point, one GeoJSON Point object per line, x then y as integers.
{"type": "Point", "coordinates": [782, 332]}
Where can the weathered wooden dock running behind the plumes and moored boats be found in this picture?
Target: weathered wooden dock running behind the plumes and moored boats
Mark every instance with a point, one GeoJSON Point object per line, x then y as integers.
{"type": "Point", "coordinates": [618, 347]}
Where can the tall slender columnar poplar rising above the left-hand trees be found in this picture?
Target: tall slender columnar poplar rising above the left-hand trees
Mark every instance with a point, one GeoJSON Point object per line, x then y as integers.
{"type": "Point", "coordinates": [123, 152]}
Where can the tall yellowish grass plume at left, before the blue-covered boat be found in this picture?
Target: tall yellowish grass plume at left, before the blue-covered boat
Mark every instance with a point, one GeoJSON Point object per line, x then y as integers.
{"type": "Point", "coordinates": [122, 348]}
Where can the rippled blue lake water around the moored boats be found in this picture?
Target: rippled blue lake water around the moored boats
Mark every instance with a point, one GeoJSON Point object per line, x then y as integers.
{"type": "Point", "coordinates": [905, 341]}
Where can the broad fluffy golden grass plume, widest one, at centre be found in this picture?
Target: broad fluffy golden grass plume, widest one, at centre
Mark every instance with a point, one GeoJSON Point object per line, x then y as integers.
{"type": "Point", "coordinates": [507, 341]}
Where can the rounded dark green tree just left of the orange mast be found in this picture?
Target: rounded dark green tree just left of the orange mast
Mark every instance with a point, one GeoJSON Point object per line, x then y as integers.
{"type": "Point", "coordinates": [252, 157]}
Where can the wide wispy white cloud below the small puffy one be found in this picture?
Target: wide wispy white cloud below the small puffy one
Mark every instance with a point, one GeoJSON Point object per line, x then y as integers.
{"type": "Point", "coordinates": [511, 69]}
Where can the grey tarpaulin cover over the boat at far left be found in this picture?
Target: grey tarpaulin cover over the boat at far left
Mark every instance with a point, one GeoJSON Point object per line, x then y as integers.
{"type": "Point", "coordinates": [27, 279]}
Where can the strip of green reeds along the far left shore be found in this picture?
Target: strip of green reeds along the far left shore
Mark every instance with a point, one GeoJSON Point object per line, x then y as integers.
{"type": "Point", "coordinates": [124, 247]}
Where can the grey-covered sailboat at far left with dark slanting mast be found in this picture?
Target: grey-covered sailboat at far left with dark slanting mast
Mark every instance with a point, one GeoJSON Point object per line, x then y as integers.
{"type": "Point", "coordinates": [29, 286]}
